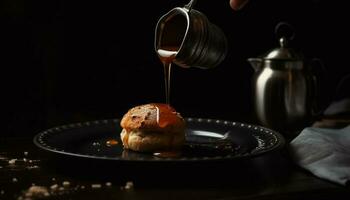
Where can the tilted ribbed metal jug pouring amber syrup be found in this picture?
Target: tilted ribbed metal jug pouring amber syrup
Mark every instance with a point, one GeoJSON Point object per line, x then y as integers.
{"type": "Point", "coordinates": [198, 42]}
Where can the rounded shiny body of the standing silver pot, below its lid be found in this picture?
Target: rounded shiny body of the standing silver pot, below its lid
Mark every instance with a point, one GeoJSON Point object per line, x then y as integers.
{"type": "Point", "coordinates": [282, 96]}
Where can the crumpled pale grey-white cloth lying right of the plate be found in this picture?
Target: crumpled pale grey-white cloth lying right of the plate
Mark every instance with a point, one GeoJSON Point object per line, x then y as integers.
{"type": "Point", "coordinates": [324, 152]}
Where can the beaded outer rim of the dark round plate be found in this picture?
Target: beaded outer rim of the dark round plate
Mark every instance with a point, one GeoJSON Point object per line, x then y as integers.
{"type": "Point", "coordinates": [37, 140]}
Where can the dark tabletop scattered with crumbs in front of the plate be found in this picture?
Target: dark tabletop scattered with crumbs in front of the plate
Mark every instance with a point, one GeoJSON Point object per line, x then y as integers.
{"type": "Point", "coordinates": [271, 176]}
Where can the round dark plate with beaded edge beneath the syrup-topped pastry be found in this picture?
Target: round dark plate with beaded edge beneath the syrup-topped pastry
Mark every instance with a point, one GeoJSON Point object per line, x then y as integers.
{"type": "Point", "coordinates": [206, 140]}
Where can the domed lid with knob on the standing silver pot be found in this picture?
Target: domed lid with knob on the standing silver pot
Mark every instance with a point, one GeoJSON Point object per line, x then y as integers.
{"type": "Point", "coordinates": [283, 52]}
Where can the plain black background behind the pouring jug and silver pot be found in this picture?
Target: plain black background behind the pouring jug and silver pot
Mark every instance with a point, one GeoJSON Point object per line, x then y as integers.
{"type": "Point", "coordinates": [66, 61]}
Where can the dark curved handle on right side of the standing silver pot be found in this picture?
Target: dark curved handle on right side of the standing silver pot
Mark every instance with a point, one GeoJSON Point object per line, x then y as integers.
{"type": "Point", "coordinates": [318, 79]}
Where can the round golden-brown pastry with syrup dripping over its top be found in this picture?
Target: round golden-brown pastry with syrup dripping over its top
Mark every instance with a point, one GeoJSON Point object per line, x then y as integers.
{"type": "Point", "coordinates": [153, 127]}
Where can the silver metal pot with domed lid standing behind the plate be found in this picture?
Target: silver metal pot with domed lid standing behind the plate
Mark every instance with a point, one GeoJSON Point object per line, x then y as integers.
{"type": "Point", "coordinates": [284, 89]}
